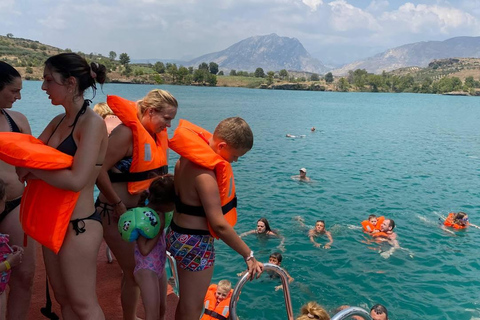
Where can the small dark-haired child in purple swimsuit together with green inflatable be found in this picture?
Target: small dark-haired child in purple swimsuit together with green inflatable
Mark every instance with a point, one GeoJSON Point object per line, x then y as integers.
{"type": "Point", "coordinates": [145, 225]}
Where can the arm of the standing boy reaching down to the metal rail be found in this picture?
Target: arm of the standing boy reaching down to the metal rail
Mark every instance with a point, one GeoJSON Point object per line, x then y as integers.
{"type": "Point", "coordinates": [207, 190]}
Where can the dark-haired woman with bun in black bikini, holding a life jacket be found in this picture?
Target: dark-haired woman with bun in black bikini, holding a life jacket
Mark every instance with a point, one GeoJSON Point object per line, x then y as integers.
{"type": "Point", "coordinates": [82, 134]}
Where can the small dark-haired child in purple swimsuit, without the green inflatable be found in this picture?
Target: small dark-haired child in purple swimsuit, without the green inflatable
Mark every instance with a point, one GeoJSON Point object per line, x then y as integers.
{"type": "Point", "coordinates": [150, 254]}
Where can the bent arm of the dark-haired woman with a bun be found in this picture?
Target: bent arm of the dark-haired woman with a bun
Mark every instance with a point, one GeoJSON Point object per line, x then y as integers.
{"type": "Point", "coordinates": [77, 177]}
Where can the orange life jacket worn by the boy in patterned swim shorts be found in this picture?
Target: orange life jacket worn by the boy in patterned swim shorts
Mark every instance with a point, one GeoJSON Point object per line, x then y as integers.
{"type": "Point", "coordinates": [191, 142]}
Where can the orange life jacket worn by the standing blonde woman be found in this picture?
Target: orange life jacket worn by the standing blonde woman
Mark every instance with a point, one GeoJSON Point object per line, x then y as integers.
{"type": "Point", "coordinates": [150, 156]}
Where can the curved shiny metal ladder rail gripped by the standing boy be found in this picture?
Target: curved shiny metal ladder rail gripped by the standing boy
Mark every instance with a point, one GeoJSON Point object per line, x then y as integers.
{"type": "Point", "coordinates": [244, 279]}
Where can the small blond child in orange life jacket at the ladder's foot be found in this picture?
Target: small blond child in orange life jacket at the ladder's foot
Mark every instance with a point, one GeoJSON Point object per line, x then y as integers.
{"type": "Point", "coordinates": [217, 301]}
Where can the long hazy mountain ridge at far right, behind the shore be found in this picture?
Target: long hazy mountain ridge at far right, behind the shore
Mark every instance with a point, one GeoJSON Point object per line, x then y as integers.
{"type": "Point", "coordinates": [418, 54]}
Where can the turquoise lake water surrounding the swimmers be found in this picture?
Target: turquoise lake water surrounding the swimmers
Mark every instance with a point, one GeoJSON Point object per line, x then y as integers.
{"type": "Point", "coordinates": [409, 157]}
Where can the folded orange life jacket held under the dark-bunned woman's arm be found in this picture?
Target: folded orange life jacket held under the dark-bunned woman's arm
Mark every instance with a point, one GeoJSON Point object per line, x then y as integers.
{"type": "Point", "coordinates": [45, 210]}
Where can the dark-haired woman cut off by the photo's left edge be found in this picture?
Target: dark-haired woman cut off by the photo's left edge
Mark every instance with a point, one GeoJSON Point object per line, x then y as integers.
{"type": "Point", "coordinates": [21, 280]}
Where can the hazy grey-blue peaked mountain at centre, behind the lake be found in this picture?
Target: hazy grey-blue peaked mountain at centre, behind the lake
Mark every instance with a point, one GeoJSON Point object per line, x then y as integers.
{"type": "Point", "coordinates": [271, 53]}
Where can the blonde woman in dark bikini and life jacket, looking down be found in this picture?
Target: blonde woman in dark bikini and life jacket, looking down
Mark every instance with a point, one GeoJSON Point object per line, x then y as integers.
{"type": "Point", "coordinates": [154, 113]}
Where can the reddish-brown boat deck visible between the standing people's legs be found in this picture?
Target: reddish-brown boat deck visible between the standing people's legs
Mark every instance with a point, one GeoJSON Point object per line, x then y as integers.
{"type": "Point", "coordinates": [108, 290]}
